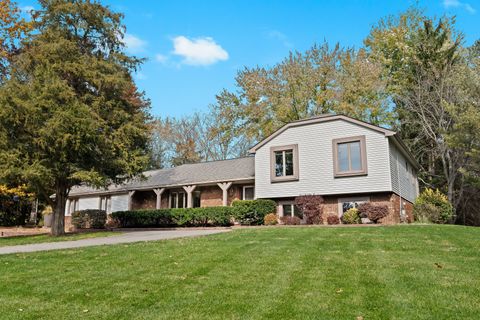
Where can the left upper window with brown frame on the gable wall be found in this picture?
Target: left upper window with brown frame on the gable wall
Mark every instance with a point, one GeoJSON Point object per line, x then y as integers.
{"type": "Point", "coordinates": [284, 163]}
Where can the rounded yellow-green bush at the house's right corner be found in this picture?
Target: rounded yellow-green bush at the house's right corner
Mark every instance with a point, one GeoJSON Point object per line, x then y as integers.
{"type": "Point", "coordinates": [433, 206]}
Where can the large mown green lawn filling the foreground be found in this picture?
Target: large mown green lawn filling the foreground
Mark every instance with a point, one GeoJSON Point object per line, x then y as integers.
{"type": "Point", "coordinates": [401, 272]}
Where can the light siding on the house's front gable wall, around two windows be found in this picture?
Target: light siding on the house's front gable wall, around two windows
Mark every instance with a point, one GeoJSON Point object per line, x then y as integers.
{"type": "Point", "coordinates": [316, 168]}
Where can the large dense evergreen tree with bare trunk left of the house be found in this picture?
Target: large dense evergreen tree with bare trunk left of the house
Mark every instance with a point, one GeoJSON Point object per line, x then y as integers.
{"type": "Point", "coordinates": [70, 111]}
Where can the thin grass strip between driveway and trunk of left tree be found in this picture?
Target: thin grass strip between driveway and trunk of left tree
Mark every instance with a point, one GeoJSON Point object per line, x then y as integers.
{"type": "Point", "coordinates": [13, 241]}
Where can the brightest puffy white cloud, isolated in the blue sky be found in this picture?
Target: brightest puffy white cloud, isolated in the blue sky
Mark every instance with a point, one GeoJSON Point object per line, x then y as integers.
{"type": "Point", "coordinates": [200, 51]}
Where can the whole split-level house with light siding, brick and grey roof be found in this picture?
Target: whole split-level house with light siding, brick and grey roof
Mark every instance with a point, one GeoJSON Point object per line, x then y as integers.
{"type": "Point", "coordinates": [345, 160]}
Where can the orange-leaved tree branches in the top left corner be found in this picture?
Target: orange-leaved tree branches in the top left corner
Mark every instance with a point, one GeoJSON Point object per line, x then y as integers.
{"type": "Point", "coordinates": [13, 29]}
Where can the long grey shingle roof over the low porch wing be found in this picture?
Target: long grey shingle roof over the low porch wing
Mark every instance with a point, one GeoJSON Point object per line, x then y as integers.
{"type": "Point", "coordinates": [196, 173]}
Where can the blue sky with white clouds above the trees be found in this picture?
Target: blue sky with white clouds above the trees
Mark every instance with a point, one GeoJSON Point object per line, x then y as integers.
{"type": "Point", "coordinates": [195, 48]}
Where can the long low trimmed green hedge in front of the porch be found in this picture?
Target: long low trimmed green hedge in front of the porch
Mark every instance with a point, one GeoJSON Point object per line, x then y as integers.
{"type": "Point", "coordinates": [182, 217]}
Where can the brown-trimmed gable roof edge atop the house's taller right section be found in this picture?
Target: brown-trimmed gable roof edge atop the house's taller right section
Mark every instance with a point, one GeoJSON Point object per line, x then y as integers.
{"type": "Point", "coordinates": [332, 117]}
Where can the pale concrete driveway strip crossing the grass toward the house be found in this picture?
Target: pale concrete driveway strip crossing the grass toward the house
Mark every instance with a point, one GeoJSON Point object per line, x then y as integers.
{"type": "Point", "coordinates": [127, 237]}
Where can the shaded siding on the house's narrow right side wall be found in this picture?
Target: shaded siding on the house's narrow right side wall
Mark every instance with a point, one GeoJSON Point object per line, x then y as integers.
{"type": "Point", "coordinates": [404, 182]}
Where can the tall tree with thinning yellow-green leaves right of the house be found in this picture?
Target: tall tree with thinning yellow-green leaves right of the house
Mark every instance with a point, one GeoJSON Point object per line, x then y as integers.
{"type": "Point", "coordinates": [433, 82]}
